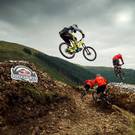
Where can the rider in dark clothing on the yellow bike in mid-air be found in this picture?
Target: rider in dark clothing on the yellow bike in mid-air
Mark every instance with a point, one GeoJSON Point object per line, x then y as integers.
{"type": "Point", "coordinates": [67, 35]}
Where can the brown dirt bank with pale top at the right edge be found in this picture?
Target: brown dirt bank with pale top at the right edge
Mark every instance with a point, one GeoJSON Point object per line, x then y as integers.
{"type": "Point", "coordinates": [124, 95]}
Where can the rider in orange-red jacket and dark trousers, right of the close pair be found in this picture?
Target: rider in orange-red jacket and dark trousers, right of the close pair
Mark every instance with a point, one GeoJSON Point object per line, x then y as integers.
{"type": "Point", "coordinates": [101, 82]}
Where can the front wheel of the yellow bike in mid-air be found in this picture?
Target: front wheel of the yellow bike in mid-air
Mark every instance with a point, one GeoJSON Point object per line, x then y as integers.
{"type": "Point", "coordinates": [89, 53]}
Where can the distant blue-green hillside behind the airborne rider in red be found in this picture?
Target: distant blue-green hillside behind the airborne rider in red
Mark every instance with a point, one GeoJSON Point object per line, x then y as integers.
{"type": "Point", "coordinates": [109, 74]}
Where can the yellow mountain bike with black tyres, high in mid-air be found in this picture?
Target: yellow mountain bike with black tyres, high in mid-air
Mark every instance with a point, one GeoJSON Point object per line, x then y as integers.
{"type": "Point", "coordinates": [69, 51]}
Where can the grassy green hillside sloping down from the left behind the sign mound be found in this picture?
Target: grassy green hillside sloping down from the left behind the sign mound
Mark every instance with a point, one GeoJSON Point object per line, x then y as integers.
{"type": "Point", "coordinates": [56, 67]}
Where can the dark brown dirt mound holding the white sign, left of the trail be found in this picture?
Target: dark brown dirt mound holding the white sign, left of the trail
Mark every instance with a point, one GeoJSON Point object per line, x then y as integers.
{"type": "Point", "coordinates": [24, 106]}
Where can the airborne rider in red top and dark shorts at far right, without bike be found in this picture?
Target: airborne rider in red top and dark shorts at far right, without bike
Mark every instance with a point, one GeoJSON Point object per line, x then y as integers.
{"type": "Point", "coordinates": [116, 60]}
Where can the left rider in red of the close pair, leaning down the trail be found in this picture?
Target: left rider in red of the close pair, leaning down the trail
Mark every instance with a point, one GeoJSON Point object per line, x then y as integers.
{"type": "Point", "coordinates": [88, 86]}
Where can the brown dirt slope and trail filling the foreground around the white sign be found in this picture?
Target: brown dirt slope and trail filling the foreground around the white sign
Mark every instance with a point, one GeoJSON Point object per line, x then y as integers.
{"type": "Point", "coordinates": [52, 108]}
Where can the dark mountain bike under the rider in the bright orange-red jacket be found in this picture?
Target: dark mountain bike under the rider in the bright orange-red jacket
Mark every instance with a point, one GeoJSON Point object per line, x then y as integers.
{"type": "Point", "coordinates": [104, 100]}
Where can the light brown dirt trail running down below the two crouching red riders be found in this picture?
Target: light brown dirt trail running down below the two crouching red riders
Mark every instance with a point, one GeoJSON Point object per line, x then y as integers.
{"type": "Point", "coordinates": [94, 120]}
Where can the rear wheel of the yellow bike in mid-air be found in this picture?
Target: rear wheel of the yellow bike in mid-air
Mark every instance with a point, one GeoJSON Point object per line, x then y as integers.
{"type": "Point", "coordinates": [63, 50]}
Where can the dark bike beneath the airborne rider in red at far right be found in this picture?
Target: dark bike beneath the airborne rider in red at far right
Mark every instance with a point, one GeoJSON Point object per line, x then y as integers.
{"type": "Point", "coordinates": [119, 72]}
